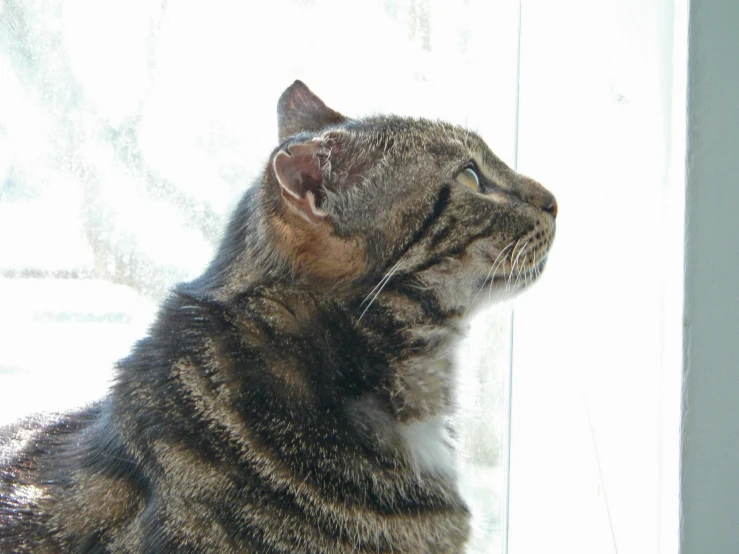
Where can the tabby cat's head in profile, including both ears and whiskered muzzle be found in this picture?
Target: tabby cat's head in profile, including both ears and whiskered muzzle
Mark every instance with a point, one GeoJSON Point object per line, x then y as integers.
{"type": "Point", "coordinates": [356, 203]}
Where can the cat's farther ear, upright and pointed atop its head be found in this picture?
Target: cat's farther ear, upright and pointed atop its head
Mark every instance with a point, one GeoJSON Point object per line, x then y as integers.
{"type": "Point", "coordinates": [300, 110]}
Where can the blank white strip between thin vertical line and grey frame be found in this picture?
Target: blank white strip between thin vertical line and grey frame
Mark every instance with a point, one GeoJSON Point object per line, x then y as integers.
{"type": "Point", "coordinates": [597, 345]}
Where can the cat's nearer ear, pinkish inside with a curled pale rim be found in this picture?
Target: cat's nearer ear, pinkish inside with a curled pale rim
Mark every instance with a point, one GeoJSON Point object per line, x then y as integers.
{"type": "Point", "coordinates": [298, 171]}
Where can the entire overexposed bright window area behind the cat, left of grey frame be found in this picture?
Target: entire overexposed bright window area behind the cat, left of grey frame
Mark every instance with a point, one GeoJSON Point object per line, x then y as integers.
{"type": "Point", "coordinates": [129, 130]}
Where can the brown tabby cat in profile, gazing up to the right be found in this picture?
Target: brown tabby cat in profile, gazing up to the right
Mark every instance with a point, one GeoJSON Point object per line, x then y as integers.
{"type": "Point", "coordinates": [293, 398]}
